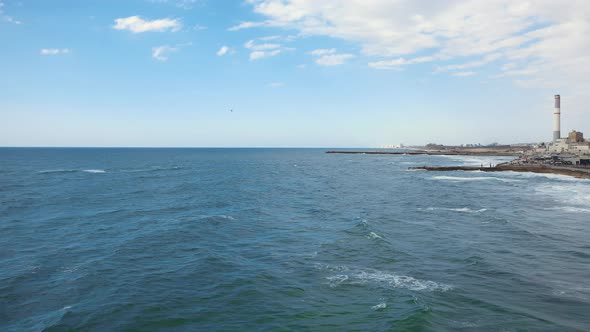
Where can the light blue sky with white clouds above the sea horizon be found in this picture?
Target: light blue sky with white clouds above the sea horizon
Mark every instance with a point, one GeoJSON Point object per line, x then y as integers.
{"type": "Point", "coordinates": [296, 73]}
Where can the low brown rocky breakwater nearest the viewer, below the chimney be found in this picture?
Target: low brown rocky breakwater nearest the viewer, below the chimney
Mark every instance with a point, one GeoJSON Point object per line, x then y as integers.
{"type": "Point", "coordinates": [582, 173]}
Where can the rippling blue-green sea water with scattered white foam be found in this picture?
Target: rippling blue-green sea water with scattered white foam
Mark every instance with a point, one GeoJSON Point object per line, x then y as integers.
{"type": "Point", "coordinates": [286, 240]}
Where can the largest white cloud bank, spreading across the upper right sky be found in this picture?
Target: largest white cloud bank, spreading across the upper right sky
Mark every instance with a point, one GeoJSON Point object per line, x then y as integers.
{"type": "Point", "coordinates": [547, 39]}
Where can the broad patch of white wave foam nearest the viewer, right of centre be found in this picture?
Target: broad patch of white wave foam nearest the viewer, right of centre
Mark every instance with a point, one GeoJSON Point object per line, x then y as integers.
{"type": "Point", "coordinates": [380, 278]}
